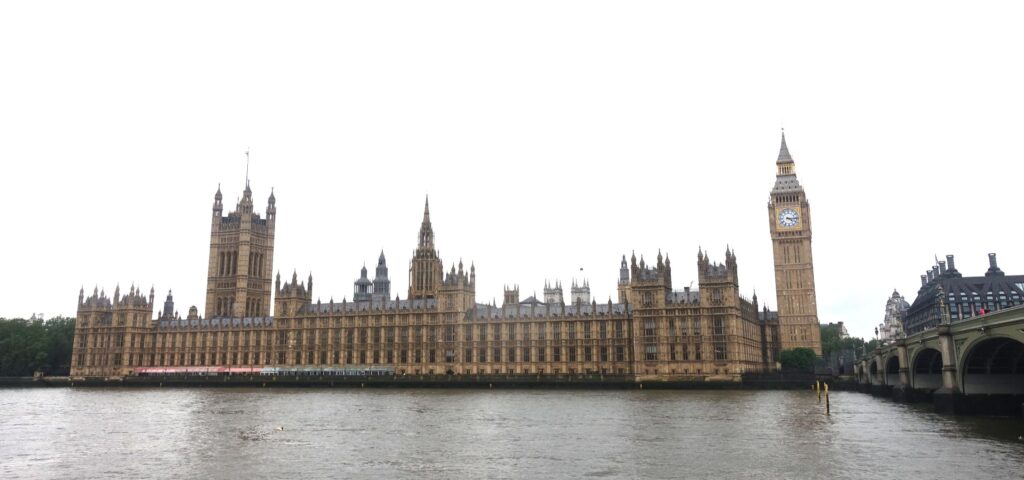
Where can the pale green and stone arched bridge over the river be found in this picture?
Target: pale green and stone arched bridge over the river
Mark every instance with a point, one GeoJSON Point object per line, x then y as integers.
{"type": "Point", "coordinates": [969, 367]}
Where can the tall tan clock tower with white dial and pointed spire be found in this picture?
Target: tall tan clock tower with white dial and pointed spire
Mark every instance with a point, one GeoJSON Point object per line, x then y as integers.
{"type": "Point", "coordinates": [790, 223]}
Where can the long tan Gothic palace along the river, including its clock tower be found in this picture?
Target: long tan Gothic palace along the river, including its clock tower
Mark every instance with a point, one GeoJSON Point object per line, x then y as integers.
{"type": "Point", "coordinates": [653, 332]}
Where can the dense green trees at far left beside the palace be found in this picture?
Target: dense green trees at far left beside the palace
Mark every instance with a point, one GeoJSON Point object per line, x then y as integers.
{"type": "Point", "coordinates": [28, 346]}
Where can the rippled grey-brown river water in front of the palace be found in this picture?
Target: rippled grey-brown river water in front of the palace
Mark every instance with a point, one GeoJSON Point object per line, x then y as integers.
{"type": "Point", "coordinates": [385, 433]}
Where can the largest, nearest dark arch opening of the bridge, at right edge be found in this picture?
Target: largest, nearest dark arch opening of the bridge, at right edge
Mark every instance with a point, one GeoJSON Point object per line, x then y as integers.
{"type": "Point", "coordinates": [994, 365]}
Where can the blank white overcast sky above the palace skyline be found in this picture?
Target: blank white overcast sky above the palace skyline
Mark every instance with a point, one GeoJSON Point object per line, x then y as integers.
{"type": "Point", "coordinates": [551, 137]}
